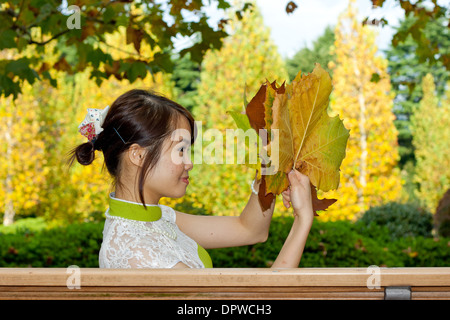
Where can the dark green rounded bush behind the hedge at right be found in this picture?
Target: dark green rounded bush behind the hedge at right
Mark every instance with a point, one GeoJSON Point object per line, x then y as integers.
{"type": "Point", "coordinates": [398, 220]}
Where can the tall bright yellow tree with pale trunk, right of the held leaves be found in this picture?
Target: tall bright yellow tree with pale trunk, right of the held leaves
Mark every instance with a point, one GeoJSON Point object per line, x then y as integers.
{"type": "Point", "coordinates": [368, 173]}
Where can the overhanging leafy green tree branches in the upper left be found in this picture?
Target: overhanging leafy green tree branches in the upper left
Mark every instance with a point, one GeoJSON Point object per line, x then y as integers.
{"type": "Point", "coordinates": [83, 26]}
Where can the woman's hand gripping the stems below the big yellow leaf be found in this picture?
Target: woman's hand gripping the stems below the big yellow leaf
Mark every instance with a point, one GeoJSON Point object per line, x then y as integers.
{"type": "Point", "coordinates": [298, 195]}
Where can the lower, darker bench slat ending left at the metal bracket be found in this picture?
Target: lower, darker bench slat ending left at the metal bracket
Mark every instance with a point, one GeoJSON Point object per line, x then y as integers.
{"type": "Point", "coordinates": [240, 293]}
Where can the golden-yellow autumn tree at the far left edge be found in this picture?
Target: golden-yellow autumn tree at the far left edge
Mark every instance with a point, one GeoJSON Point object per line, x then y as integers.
{"type": "Point", "coordinates": [22, 155]}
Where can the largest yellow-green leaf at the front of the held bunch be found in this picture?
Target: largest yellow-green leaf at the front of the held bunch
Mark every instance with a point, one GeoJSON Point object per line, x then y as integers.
{"type": "Point", "coordinates": [309, 139]}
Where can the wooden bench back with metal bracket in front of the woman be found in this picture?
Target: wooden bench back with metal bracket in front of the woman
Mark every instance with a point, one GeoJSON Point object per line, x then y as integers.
{"type": "Point", "coordinates": [302, 283]}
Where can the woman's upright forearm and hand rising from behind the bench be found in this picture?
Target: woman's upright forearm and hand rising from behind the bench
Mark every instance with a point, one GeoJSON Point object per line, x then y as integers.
{"type": "Point", "coordinates": [299, 194]}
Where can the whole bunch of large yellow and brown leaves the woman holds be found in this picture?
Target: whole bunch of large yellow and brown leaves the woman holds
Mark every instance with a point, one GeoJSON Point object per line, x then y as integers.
{"type": "Point", "coordinates": [308, 139]}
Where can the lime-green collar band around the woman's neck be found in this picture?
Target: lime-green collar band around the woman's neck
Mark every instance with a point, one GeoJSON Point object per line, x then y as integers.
{"type": "Point", "coordinates": [133, 210]}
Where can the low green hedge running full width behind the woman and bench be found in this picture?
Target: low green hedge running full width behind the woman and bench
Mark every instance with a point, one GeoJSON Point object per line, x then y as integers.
{"type": "Point", "coordinates": [330, 244]}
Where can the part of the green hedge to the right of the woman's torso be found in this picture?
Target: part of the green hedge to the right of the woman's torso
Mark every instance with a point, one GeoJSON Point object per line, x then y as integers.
{"type": "Point", "coordinates": [339, 244]}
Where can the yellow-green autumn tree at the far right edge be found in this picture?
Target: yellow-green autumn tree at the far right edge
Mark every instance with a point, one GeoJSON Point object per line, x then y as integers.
{"type": "Point", "coordinates": [431, 135]}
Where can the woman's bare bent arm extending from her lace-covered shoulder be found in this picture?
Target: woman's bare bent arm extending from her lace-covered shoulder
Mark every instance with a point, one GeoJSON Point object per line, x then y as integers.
{"type": "Point", "coordinates": [251, 226]}
